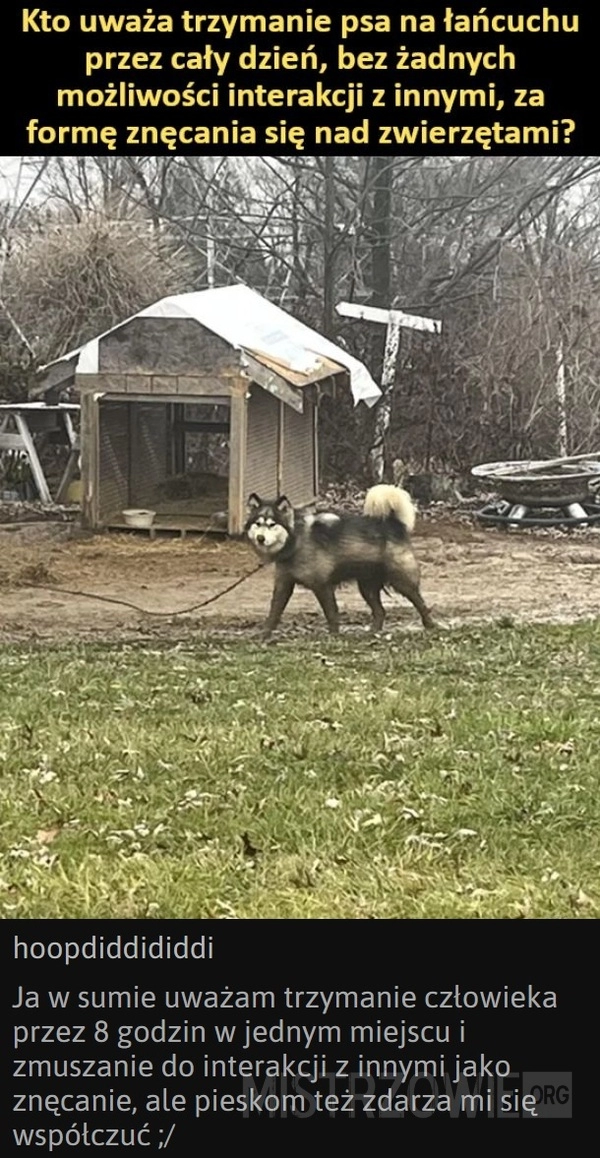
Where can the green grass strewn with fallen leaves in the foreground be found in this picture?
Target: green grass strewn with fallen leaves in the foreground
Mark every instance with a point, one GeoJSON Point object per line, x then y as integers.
{"type": "Point", "coordinates": [453, 775]}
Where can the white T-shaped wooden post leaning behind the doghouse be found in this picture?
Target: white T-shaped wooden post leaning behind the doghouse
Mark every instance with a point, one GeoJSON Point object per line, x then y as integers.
{"type": "Point", "coordinates": [394, 320]}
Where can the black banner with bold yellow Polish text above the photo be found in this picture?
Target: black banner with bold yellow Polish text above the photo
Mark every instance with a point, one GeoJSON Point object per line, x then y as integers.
{"type": "Point", "coordinates": [305, 80]}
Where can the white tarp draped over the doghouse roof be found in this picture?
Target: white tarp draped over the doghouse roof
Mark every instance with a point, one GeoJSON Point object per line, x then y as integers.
{"type": "Point", "coordinates": [246, 320]}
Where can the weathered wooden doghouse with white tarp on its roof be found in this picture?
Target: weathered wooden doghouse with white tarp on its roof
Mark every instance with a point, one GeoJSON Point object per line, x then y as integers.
{"type": "Point", "coordinates": [197, 401]}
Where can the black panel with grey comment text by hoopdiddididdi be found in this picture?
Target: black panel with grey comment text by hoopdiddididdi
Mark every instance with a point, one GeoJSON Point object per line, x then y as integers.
{"type": "Point", "coordinates": [145, 1034]}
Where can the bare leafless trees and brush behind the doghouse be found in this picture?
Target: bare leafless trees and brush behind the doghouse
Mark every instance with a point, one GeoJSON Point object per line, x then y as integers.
{"type": "Point", "coordinates": [504, 250]}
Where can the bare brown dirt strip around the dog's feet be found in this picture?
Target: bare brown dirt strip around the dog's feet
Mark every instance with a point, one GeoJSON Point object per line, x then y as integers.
{"type": "Point", "coordinates": [470, 575]}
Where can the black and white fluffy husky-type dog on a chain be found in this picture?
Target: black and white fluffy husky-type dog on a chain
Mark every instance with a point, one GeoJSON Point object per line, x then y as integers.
{"type": "Point", "coordinates": [320, 552]}
